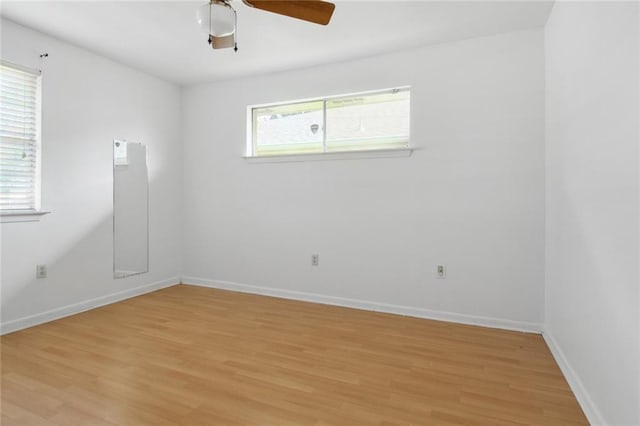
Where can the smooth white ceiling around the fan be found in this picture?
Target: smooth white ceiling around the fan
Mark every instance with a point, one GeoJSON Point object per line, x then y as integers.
{"type": "Point", "coordinates": [163, 39]}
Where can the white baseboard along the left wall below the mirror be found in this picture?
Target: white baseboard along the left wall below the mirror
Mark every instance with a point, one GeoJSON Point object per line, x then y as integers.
{"type": "Point", "coordinates": [76, 308]}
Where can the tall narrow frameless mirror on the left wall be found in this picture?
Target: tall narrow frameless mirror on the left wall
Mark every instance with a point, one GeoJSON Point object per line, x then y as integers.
{"type": "Point", "coordinates": [130, 209]}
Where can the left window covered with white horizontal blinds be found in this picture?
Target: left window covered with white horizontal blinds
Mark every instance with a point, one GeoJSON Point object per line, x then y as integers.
{"type": "Point", "coordinates": [19, 138]}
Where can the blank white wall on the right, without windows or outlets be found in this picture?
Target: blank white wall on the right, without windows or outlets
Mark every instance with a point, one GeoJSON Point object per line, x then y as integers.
{"type": "Point", "coordinates": [592, 204]}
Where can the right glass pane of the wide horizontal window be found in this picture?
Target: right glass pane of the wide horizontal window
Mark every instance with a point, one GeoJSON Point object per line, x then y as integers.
{"type": "Point", "coordinates": [368, 121]}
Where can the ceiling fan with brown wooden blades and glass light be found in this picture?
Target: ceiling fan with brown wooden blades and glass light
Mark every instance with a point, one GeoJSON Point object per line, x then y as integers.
{"type": "Point", "coordinates": [219, 18]}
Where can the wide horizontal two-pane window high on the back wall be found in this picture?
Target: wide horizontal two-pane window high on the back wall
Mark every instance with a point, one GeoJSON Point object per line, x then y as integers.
{"type": "Point", "coordinates": [358, 122]}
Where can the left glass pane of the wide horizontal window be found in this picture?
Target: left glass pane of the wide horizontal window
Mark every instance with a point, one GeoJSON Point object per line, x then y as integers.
{"type": "Point", "coordinates": [288, 129]}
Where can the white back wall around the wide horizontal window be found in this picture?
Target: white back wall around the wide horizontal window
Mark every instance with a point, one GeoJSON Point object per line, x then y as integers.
{"type": "Point", "coordinates": [471, 196]}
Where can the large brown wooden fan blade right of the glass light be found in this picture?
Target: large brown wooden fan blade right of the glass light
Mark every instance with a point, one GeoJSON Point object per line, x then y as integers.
{"type": "Point", "coordinates": [315, 11]}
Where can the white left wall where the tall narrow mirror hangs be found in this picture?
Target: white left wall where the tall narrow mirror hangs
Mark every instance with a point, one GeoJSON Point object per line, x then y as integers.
{"type": "Point", "coordinates": [87, 101]}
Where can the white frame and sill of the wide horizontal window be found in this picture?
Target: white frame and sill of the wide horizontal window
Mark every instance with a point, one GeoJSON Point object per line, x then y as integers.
{"type": "Point", "coordinates": [336, 155]}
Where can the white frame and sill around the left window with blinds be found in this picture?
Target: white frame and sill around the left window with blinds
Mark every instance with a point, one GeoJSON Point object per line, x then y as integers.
{"type": "Point", "coordinates": [31, 215]}
